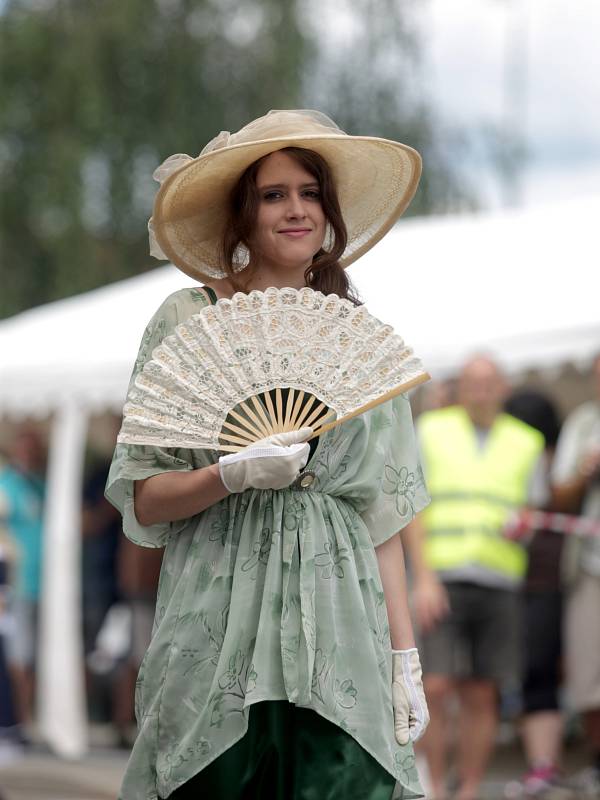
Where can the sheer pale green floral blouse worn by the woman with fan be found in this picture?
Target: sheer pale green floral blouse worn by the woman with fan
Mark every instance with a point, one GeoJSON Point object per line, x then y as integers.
{"type": "Point", "coordinates": [270, 595]}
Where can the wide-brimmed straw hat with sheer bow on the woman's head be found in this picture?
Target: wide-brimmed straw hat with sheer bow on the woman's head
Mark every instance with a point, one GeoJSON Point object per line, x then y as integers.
{"type": "Point", "coordinates": [375, 181]}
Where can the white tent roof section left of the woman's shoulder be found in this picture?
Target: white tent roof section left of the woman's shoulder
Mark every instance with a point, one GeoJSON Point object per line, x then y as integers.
{"type": "Point", "coordinates": [82, 347]}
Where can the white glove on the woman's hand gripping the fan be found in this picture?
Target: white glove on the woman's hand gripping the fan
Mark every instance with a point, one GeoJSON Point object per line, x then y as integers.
{"type": "Point", "coordinates": [271, 463]}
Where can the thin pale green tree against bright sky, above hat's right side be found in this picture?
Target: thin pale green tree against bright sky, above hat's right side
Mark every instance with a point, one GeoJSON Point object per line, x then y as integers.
{"type": "Point", "coordinates": [372, 80]}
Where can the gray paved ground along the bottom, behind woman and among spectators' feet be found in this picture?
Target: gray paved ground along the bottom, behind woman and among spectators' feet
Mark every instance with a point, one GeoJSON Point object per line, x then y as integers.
{"type": "Point", "coordinates": [40, 776]}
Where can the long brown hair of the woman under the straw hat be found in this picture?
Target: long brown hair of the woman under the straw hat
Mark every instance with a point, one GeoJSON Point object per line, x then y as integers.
{"type": "Point", "coordinates": [325, 274]}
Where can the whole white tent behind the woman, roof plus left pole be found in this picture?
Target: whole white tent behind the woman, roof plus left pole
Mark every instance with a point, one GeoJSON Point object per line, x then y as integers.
{"type": "Point", "coordinates": [524, 285]}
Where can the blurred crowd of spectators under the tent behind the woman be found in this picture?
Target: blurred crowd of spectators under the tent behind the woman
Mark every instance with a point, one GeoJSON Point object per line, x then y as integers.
{"type": "Point", "coordinates": [498, 617]}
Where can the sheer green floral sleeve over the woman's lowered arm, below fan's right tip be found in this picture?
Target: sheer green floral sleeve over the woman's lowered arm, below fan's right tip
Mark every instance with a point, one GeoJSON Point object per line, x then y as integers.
{"type": "Point", "coordinates": [402, 493]}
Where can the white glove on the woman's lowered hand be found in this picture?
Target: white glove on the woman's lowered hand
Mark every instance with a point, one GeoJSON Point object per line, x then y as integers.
{"type": "Point", "coordinates": [411, 716]}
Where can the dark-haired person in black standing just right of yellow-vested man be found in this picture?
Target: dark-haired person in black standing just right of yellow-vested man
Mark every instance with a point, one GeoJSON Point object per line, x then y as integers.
{"type": "Point", "coordinates": [542, 723]}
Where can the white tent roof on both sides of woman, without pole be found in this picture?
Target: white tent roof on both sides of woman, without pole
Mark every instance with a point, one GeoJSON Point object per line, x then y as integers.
{"type": "Point", "coordinates": [523, 285]}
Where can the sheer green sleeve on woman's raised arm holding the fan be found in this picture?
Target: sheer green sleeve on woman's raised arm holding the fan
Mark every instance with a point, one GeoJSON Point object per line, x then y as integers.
{"type": "Point", "coordinates": [131, 463]}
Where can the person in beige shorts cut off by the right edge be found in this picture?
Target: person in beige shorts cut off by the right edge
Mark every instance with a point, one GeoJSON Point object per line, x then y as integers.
{"type": "Point", "coordinates": [576, 490]}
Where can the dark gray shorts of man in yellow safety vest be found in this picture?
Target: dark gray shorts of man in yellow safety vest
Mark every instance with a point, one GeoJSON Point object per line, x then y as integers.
{"type": "Point", "coordinates": [478, 639]}
